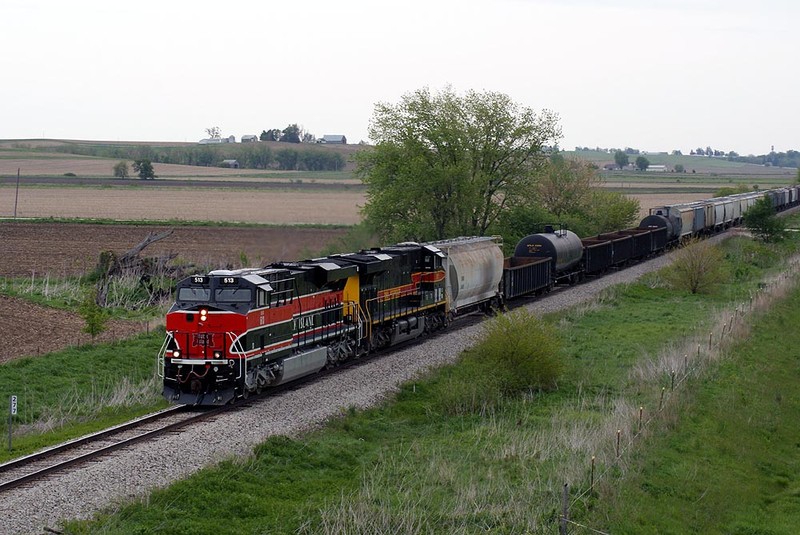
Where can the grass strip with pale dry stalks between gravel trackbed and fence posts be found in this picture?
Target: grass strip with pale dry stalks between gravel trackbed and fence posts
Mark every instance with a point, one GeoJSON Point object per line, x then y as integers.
{"type": "Point", "coordinates": [417, 465]}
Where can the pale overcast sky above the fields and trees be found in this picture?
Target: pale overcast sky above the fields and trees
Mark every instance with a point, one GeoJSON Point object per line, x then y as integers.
{"type": "Point", "coordinates": [655, 75]}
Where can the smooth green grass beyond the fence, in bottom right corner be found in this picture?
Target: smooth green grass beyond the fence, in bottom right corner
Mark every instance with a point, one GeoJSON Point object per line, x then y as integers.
{"type": "Point", "coordinates": [731, 463]}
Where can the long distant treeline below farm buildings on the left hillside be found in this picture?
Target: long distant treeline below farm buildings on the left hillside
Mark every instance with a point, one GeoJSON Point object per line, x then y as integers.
{"type": "Point", "coordinates": [249, 155]}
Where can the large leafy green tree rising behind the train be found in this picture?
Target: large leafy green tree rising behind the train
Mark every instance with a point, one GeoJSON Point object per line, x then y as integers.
{"type": "Point", "coordinates": [445, 164]}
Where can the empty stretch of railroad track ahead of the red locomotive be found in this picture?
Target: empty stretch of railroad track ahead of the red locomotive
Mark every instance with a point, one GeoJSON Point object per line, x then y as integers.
{"type": "Point", "coordinates": [30, 468]}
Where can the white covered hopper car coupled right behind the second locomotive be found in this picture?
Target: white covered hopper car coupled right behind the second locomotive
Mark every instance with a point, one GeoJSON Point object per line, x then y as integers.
{"type": "Point", "coordinates": [473, 267]}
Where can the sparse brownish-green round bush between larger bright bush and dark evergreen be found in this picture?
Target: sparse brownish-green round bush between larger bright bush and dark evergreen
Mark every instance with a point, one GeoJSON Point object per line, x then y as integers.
{"type": "Point", "coordinates": [697, 268]}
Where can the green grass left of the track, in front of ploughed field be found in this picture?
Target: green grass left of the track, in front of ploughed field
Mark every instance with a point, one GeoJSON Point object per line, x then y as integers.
{"type": "Point", "coordinates": [78, 390]}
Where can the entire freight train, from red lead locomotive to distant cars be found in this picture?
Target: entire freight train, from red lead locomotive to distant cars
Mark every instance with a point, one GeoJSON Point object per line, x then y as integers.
{"type": "Point", "coordinates": [231, 333]}
